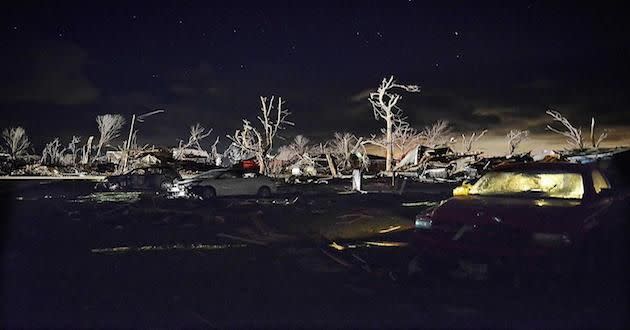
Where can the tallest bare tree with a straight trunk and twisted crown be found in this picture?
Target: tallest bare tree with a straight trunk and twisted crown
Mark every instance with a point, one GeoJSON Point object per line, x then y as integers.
{"type": "Point", "coordinates": [384, 106]}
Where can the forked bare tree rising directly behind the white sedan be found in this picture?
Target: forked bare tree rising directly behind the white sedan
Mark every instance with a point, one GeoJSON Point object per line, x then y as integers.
{"type": "Point", "coordinates": [259, 141]}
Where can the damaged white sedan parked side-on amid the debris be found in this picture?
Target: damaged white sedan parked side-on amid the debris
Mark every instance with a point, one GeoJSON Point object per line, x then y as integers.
{"type": "Point", "coordinates": [225, 182]}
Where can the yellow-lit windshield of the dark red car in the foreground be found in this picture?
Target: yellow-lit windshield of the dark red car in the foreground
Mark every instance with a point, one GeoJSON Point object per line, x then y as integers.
{"type": "Point", "coordinates": [535, 184]}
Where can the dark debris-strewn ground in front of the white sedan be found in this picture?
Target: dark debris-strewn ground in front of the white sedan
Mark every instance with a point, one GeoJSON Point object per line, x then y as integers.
{"type": "Point", "coordinates": [148, 262]}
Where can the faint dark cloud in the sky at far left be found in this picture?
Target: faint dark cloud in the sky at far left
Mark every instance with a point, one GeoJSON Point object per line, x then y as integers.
{"type": "Point", "coordinates": [50, 73]}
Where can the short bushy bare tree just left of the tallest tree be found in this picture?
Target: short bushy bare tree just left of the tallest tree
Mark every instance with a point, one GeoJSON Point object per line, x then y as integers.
{"type": "Point", "coordinates": [343, 146]}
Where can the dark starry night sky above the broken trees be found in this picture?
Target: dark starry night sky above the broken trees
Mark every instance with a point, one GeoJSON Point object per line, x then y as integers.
{"type": "Point", "coordinates": [480, 65]}
